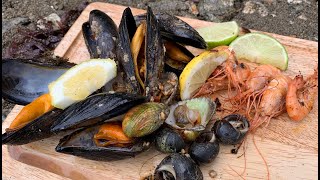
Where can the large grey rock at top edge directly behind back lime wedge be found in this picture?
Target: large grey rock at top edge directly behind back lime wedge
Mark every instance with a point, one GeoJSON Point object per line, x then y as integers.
{"type": "Point", "coordinates": [219, 10]}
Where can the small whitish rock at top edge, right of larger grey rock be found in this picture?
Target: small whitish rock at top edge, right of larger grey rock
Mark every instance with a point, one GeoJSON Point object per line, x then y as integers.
{"type": "Point", "coordinates": [251, 7]}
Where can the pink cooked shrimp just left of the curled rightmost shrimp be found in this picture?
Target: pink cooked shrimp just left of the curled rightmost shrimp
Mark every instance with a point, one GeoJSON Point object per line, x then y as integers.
{"type": "Point", "coordinates": [272, 101]}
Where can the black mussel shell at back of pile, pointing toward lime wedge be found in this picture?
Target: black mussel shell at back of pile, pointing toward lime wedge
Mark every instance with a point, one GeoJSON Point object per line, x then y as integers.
{"type": "Point", "coordinates": [176, 30]}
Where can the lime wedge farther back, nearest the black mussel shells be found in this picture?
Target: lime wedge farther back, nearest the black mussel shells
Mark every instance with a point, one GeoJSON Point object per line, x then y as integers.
{"type": "Point", "coordinates": [219, 33]}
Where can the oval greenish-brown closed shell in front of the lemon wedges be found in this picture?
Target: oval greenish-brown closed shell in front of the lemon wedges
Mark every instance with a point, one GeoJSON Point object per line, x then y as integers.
{"type": "Point", "coordinates": [144, 119]}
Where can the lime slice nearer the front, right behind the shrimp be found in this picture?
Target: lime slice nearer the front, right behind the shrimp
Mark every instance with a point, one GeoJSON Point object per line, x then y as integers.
{"type": "Point", "coordinates": [260, 48]}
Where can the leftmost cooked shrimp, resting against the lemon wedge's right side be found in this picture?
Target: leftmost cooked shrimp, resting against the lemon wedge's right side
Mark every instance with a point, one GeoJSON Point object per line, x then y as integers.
{"type": "Point", "coordinates": [230, 74]}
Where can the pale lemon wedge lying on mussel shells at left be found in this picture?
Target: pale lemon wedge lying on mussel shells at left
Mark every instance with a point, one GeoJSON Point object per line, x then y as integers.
{"type": "Point", "coordinates": [80, 81]}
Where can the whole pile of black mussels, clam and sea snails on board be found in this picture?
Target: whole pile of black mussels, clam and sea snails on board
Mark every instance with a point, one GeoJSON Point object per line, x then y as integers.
{"type": "Point", "coordinates": [138, 108]}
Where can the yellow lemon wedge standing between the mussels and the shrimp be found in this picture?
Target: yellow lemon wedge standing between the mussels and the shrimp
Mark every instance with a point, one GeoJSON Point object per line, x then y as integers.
{"type": "Point", "coordinates": [197, 71]}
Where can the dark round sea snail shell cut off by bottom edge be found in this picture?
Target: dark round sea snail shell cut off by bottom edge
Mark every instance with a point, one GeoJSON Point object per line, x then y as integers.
{"type": "Point", "coordinates": [177, 166]}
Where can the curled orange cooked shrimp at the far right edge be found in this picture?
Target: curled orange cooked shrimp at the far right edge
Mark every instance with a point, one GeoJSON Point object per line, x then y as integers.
{"type": "Point", "coordinates": [301, 96]}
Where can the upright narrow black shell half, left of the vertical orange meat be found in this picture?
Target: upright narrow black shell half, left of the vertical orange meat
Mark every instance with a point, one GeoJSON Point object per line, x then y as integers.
{"type": "Point", "coordinates": [127, 28]}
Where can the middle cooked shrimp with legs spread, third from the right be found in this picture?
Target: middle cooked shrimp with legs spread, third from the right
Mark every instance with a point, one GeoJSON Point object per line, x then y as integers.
{"type": "Point", "coordinates": [255, 85]}
